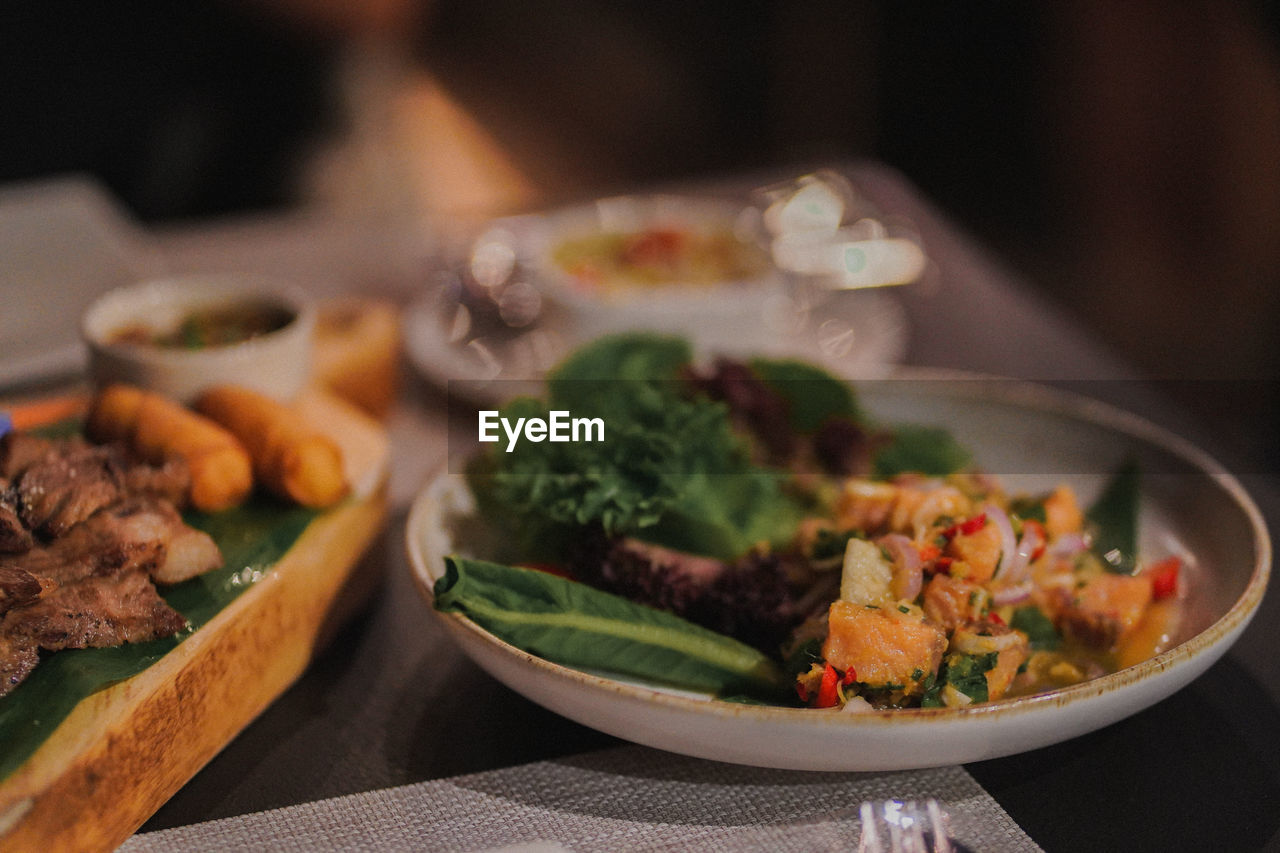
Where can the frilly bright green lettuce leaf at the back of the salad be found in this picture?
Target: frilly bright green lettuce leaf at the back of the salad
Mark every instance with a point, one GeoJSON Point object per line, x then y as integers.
{"type": "Point", "coordinates": [670, 471]}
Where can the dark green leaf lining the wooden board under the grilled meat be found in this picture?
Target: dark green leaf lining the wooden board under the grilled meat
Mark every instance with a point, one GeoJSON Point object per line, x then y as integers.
{"type": "Point", "coordinates": [253, 539]}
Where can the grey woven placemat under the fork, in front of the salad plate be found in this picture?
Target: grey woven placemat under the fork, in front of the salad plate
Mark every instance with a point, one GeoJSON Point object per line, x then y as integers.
{"type": "Point", "coordinates": [629, 799]}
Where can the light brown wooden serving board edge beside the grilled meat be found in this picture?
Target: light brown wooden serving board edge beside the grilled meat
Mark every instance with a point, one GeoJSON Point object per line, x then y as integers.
{"type": "Point", "coordinates": [129, 749]}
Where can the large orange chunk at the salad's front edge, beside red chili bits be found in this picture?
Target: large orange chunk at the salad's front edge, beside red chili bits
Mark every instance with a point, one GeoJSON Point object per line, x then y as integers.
{"type": "Point", "coordinates": [884, 647]}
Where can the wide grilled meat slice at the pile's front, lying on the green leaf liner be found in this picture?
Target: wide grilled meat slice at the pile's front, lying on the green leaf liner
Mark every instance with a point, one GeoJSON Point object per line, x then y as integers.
{"type": "Point", "coordinates": [97, 613]}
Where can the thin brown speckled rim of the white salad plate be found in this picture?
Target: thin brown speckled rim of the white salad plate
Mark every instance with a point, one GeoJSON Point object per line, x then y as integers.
{"type": "Point", "coordinates": [1068, 405]}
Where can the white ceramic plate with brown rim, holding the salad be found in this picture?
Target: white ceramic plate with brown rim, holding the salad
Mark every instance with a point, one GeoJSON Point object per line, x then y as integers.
{"type": "Point", "coordinates": [1030, 436]}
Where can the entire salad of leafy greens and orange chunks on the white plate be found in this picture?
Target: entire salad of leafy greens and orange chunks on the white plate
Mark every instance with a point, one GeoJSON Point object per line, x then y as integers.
{"type": "Point", "coordinates": [778, 545]}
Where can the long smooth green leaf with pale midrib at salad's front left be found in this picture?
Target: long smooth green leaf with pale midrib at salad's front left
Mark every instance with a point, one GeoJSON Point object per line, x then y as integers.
{"type": "Point", "coordinates": [578, 626]}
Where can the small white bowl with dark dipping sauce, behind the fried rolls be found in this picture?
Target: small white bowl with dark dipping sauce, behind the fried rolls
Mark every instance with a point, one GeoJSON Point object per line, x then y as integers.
{"type": "Point", "coordinates": [179, 336]}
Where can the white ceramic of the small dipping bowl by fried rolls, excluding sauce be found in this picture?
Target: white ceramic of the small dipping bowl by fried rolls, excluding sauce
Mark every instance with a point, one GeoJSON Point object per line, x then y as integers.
{"type": "Point", "coordinates": [277, 364]}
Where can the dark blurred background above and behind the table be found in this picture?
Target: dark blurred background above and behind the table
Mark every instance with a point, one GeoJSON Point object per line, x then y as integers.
{"type": "Point", "coordinates": [1123, 157]}
